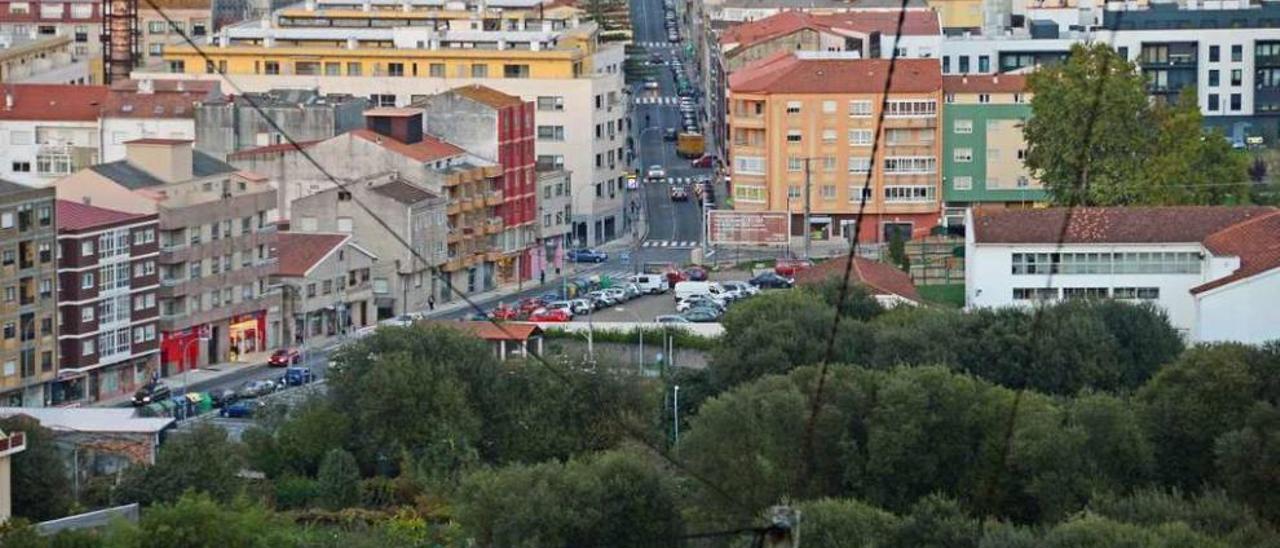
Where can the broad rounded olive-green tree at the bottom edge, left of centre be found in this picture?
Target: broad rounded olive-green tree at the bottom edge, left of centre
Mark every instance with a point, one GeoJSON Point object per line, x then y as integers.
{"type": "Point", "coordinates": [615, 499]}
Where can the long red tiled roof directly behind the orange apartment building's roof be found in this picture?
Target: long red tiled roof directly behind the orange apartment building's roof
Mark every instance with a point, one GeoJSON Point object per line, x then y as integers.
{"type": "Point", "coordinates": [915, 24]}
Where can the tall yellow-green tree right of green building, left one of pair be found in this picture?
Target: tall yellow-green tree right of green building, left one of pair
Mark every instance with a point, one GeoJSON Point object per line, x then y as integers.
{"type": "Point", "coordinates": [1090, 127]}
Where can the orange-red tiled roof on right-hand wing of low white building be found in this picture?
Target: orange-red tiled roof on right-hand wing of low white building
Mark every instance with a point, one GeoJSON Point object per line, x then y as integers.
{"type": "Point", "coordinates": [1255, 241]}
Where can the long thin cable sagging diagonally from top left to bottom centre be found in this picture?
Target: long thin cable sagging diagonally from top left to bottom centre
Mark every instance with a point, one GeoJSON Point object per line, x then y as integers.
{"type": "Point", "coordinates": [294, 145]}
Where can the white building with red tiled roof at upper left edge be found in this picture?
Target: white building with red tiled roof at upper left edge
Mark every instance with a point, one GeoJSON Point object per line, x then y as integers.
{"type": "Point", "coordinates": [48, 131]}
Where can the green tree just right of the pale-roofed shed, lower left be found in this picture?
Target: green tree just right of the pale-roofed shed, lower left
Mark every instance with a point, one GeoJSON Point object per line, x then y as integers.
{"type": "Point", "coordinates": [203, 460]}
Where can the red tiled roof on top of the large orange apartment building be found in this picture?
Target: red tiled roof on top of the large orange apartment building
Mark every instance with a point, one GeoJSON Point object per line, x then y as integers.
{"type": "Point", "coordinates": [787, 74]}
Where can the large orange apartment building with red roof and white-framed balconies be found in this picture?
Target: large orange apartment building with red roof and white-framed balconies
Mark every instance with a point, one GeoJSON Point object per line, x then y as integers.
{"type": "Point", "coordinates": [811, 120]}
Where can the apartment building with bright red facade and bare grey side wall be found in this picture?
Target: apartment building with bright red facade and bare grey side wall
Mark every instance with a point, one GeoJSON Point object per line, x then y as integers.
{"type": "Point", "coordinates": [499, 129]}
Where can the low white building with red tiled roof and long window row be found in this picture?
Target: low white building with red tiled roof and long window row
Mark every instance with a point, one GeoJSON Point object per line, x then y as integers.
{"type": "Point", "coordinates": [1214, 271]}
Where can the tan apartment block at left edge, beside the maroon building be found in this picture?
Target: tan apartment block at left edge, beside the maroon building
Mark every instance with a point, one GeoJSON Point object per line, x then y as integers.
{"type": "Point", "coordinates": [29, 368]}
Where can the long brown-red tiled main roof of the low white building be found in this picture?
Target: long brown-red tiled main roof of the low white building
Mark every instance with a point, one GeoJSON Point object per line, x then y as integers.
{"type": "Point", "coordinates": [1178, 225]}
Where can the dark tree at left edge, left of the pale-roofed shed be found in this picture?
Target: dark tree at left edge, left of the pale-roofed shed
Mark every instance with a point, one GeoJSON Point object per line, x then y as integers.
{"type": "Point", "coordinates": [40, 486]}
